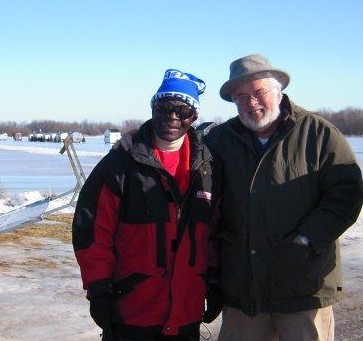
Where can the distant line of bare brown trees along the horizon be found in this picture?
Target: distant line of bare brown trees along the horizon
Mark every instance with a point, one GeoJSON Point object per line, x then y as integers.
{"type": "Point", "coordinates": [349, 121]}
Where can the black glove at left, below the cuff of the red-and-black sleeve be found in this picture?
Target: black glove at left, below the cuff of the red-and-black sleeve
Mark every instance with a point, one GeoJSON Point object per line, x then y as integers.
{"type": "Point", "coordinates": [101, 303]}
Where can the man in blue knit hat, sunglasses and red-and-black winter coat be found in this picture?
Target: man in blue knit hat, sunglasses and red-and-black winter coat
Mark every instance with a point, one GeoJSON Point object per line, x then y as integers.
{"type": "Point", "coordinates": [141, 230]}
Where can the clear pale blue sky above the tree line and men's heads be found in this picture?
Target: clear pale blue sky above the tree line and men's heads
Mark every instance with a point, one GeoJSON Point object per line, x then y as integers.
{"type": "Point", "coordinates": [102, 60]}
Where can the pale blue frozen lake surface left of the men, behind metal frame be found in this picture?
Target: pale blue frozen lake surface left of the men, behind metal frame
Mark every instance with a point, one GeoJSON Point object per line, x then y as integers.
{"type": "Point", "coordinates": [38, 166]}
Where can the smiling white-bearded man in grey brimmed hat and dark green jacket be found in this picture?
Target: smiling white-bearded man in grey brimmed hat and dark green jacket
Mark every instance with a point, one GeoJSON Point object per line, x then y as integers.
{"type": "Point", "coordinates": [291, 187]}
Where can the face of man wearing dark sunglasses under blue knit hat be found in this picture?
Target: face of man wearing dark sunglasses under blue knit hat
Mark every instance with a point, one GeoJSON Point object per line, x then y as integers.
{"type": "Point", "coordinates": [168, 119]}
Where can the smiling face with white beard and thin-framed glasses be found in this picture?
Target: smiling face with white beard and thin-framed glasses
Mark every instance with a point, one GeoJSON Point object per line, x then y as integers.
{"type": "Point", "coordinates": [258, 105]}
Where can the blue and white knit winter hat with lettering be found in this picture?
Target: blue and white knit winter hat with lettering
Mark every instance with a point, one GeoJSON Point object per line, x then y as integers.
{"type": "Point", "coordinates": [180, 86]}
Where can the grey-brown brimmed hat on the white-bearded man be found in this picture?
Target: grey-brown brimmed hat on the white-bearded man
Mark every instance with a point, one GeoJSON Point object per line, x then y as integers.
{"type": "Point", "coordinates": [249, 68]}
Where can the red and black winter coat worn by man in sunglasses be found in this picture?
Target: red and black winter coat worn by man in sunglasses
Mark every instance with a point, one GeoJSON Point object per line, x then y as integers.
{"type": "Point", "coordinates": [133, 226]}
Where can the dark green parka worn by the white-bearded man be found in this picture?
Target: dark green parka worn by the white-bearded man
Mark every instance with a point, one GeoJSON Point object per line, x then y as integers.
{"type": "Point", "coordinates": [306, 182]}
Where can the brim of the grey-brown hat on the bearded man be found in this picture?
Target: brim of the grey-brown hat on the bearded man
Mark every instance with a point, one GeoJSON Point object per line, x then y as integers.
{"type": "Point", "coordinates": [228, 87]}
